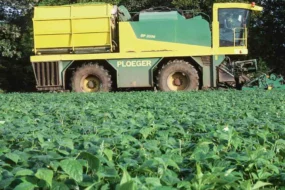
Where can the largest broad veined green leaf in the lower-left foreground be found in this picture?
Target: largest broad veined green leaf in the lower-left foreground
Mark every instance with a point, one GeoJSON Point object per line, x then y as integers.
{"type": "Point", "coordinates": [73, 168]}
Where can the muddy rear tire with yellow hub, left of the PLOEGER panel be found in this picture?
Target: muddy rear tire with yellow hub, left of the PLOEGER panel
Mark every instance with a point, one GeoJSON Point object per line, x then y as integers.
{"type": "Point", "coordinates": [91, 78]}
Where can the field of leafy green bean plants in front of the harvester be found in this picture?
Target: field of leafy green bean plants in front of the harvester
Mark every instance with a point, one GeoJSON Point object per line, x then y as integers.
{"type": "Point", "coordinates": [143, 140]}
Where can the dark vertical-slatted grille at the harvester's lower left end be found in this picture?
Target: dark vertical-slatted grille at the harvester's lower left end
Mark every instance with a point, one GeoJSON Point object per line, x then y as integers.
{"type": "Point", "coordinates": [47, 75]}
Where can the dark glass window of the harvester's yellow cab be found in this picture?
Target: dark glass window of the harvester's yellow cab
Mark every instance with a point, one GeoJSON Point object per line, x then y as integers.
{"type": "Point", "coordinates": [233, 23]}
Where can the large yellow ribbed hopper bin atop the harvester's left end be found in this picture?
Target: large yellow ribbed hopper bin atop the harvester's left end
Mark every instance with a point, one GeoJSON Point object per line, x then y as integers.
{"type": "Point", "coordinates": [73, 26]}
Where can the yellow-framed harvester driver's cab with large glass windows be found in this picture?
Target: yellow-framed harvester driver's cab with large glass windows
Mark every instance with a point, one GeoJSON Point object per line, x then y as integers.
{"type": "Point", "coordinates": [230, 27]}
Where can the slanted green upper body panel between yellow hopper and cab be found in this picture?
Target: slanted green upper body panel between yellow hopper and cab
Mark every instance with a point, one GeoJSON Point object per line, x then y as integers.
{"type": "Point", "coordinates": [194, 31]}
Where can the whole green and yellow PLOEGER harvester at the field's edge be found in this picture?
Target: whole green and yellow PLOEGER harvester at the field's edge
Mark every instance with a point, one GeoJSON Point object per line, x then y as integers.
{"type": "Point", "coordinates": [101, 47]}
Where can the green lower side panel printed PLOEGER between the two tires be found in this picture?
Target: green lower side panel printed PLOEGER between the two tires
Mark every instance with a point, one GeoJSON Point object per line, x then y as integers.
{"type": "Point", "coordinates": [134, 72]}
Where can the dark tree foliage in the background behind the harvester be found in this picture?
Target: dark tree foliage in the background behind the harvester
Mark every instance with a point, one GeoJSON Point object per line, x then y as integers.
{"type": "Point", "coordinates": [266, 41]}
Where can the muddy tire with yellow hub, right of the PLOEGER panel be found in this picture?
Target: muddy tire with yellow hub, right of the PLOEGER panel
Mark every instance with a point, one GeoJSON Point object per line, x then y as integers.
{"type": "Point", "coordinates": [178, 75]}
